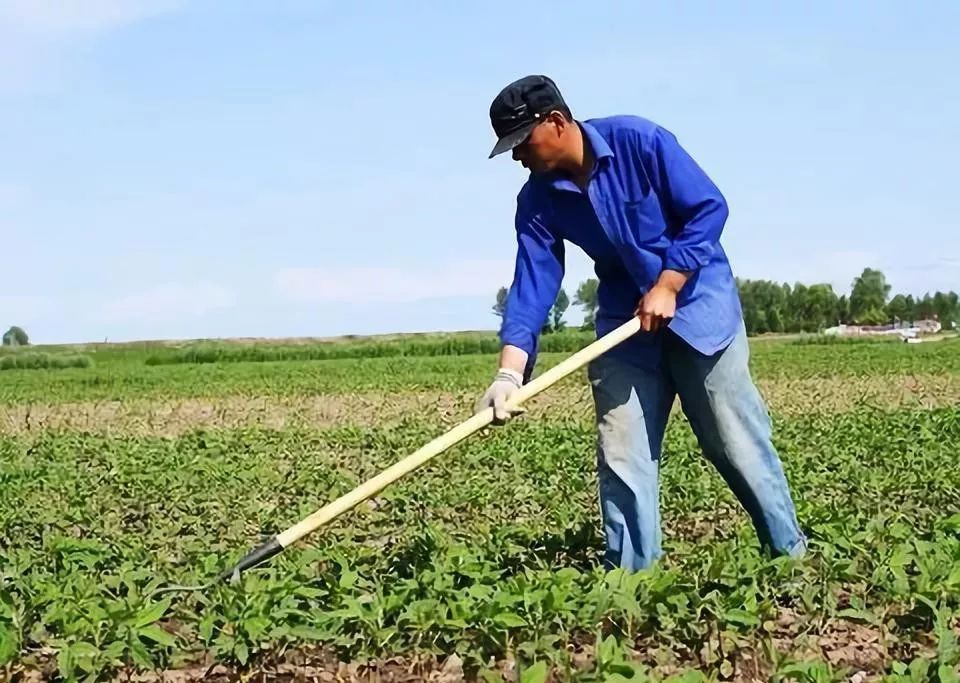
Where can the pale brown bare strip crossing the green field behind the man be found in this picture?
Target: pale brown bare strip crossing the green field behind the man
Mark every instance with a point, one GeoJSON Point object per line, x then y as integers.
{"type": "Point", "coordinates": [571, 400]}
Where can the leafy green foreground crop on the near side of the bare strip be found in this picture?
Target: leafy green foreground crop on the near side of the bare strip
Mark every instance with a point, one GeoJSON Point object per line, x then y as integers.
{"type": "Point", "coordinates": [490, 552]}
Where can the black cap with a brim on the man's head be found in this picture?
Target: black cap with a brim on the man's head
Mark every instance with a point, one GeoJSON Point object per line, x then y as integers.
{"type": "Point", "coordinates": [521, 106]}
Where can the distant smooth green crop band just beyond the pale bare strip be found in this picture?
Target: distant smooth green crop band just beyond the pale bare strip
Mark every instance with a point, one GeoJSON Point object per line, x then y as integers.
{"type": "Point", "coordinates": [115, 380]}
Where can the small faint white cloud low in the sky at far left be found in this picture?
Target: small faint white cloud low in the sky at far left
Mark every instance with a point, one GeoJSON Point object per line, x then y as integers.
{"type": "Point", "coordinates": [172, 301]}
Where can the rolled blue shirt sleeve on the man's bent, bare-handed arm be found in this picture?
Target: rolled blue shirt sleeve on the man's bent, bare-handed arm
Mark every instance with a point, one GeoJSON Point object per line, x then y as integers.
{"type": "Point", "coordinates": [692, 198]}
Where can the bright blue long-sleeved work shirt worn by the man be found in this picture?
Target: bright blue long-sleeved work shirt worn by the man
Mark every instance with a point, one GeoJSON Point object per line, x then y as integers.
{"type": "Point", "coordinates": [648, 207]}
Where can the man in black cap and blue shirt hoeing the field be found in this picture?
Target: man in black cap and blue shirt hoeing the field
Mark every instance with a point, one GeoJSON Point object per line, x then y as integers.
{"type": "Point", "coordinates": [624, 190]}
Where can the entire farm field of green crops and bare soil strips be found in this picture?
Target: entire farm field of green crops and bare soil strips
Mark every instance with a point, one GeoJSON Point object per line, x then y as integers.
{"type": "Point", "coordinates": [123, 477]}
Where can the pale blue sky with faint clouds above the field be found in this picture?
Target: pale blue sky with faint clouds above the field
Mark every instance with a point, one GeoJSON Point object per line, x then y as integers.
{"type": "Point", "coordinates": [178, 169]}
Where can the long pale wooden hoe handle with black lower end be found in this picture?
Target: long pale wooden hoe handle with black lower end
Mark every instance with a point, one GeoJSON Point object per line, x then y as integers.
{"type": "Point", "coordinates": [432, 449]}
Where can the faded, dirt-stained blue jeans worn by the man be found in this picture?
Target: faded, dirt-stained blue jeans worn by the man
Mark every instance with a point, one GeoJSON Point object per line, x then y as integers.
{"type": "Point", "coordinates": [731, 423]}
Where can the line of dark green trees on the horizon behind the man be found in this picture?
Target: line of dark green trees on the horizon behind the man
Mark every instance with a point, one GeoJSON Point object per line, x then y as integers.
{"type": "Point", "coordinates": [770, 306]}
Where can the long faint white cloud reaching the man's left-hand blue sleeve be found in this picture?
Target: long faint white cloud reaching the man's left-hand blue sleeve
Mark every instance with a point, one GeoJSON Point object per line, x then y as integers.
{"type": "Point", "coordinates": [364, 285]}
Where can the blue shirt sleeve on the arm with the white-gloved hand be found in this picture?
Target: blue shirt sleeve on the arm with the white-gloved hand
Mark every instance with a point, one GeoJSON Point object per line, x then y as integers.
{"type": "Point", "coordinates": [538, 273]}
